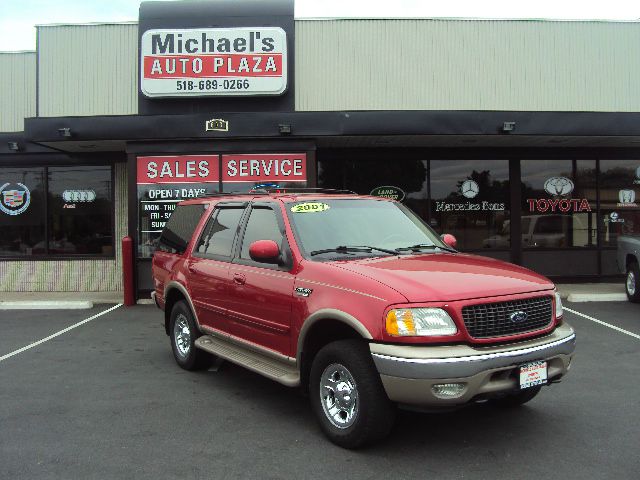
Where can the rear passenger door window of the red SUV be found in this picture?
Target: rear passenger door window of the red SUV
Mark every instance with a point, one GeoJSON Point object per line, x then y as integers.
{"type": "Point", "coordinates": [217, 237]}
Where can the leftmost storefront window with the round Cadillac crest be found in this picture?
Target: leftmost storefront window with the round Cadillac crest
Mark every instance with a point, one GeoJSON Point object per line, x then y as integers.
{"type": "Point", "coordinates": [22, 207]}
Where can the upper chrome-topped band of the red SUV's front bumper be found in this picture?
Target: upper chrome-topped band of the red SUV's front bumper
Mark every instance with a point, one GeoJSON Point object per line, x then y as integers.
{"type": "Point", "coordinates": [469, 365]}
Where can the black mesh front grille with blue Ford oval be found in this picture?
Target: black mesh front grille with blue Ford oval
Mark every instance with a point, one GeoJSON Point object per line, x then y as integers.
{"type": "Point", "coordinates": [495, 319]}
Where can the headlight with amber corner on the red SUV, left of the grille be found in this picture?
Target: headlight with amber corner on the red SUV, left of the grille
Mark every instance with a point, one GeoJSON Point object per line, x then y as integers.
{"type": "Point", "coordinates": [412, 322]}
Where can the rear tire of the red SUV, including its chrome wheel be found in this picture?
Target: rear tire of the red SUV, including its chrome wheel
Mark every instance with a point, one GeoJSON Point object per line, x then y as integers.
{"type": "Point", "coordinates": [183, 332]}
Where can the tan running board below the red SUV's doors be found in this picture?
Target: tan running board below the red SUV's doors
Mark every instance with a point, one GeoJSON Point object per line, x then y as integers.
{"type": "Point", "coordinates": [281, 372]}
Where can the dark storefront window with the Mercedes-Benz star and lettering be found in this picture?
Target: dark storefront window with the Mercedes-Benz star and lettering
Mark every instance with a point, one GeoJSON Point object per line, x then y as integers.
{"type": "Point", "coordinates": [470, 199]}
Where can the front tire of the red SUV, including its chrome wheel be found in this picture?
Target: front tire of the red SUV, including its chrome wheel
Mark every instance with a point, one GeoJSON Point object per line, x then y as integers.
{"type": "Point", "coordinates": [347, 395]}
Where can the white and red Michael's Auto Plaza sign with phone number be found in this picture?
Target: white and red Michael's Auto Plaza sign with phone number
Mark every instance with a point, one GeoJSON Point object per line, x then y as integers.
{"type": "Point", "coordinates": [213, 61]}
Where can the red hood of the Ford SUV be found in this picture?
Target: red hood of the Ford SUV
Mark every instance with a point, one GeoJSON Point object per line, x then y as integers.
{"type": "Point", "coordinates": [448, 277]}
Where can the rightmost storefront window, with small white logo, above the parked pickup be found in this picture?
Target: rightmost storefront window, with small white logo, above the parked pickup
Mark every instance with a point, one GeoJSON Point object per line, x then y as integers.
{"type": "Point", "coordinates": [619, 200]}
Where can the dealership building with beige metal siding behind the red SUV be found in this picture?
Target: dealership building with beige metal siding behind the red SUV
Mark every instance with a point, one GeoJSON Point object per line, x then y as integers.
{"type": "Point", "coordinates": [521, 138]}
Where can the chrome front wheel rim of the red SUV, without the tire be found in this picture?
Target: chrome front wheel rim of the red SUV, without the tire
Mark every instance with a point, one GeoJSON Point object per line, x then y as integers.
{"type": "Point", "coordinates": [339, 396]}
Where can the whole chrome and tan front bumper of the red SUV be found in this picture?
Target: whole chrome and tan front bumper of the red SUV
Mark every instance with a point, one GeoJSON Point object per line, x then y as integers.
{"type": "Point", "coordinates": [408, 373]}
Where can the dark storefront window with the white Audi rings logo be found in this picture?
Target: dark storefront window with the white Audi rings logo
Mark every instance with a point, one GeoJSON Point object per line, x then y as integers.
{"type": "Point", "coordinates": [80, 211]}
